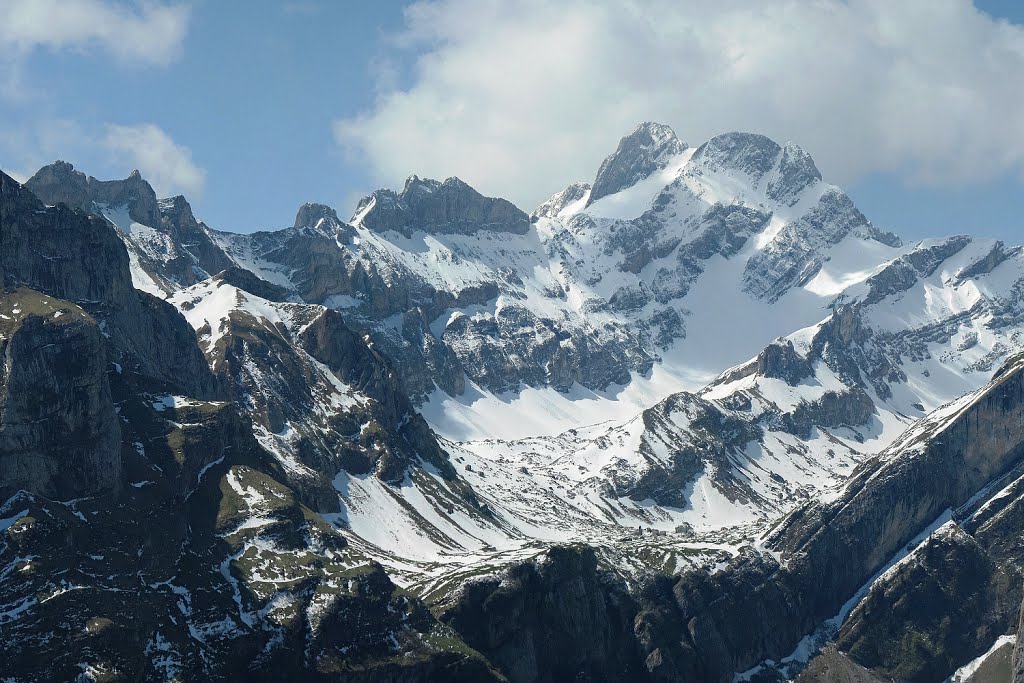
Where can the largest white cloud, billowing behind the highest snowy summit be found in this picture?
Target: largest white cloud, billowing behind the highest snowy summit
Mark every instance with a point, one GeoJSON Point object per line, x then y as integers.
{"type": "Point", "coordinates": [520, 98]}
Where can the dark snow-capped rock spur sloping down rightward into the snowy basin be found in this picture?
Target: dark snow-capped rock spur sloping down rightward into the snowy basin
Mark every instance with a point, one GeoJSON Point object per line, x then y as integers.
{"type": "Point", "coordinates": [320, 398]}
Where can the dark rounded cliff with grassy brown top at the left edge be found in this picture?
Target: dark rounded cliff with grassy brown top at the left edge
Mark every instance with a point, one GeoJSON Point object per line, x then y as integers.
{"type": "Point", "coordinates": [60, 434]}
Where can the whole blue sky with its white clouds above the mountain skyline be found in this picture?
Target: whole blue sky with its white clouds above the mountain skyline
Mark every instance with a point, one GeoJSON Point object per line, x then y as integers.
{"type": "Point", "coordinates": [252, 109]}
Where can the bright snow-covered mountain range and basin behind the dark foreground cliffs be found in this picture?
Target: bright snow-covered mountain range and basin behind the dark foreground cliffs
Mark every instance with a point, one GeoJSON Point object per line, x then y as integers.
{"type": "Point", "coordinates": [661, 363]}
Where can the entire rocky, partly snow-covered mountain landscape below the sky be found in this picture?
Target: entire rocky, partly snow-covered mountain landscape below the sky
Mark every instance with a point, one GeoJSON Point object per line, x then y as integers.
{"type": "Point", "coordinates": [697, 419]}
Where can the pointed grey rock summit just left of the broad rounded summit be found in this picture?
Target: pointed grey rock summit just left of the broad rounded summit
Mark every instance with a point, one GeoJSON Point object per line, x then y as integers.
{"type": "Point", "coordinates": [641, 154]}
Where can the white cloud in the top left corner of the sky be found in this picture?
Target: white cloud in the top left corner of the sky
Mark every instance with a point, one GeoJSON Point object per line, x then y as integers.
{"type": "Point", "coordinates": [151, 33]}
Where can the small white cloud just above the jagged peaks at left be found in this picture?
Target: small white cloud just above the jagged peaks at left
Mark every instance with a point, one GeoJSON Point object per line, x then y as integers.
{"type": "Point", "coordinates": [166, 165]}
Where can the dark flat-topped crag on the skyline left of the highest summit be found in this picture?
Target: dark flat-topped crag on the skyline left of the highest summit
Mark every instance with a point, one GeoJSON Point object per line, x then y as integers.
{"type": "Point", "coordinates": [440, 207]}
